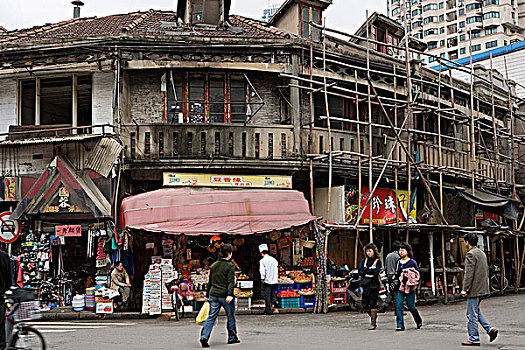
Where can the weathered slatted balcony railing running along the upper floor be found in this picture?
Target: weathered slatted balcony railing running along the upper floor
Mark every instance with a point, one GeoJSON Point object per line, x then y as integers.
{"type": "Point", "coordinates": [193, 144]}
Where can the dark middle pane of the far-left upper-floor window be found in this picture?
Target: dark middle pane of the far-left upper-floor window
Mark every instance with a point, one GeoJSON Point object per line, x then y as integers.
{"type": "Point", "coordinates": [56, 103]}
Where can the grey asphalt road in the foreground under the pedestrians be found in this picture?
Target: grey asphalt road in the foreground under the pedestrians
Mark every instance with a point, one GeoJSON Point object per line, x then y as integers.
{"type": "Point", "coordinates": [444, 328]}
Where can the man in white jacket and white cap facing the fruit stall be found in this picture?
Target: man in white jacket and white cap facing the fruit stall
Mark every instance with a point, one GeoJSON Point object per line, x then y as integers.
{"type": "Point", "coordinates": [269, 268]}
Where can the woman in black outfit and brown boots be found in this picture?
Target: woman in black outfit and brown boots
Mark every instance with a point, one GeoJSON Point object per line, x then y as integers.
{"type": "Point", "coordinates": [369, 271]}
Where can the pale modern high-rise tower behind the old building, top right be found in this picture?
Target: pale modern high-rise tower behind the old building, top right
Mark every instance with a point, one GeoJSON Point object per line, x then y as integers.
{"type": "Point", "coordinates": [453, 29]}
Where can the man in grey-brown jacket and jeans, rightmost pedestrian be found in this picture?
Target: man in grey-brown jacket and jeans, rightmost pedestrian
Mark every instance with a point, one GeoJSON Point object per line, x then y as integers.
{"type": "Point", "coordinates": [475, 288]}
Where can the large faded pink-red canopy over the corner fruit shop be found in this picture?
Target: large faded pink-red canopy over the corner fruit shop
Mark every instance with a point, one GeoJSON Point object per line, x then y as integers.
{"type": "Point", "coordinates": [195, 211]}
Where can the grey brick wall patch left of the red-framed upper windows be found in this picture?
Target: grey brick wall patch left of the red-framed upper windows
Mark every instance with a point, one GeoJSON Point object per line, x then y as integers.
{"type": "Point", "coordinates": [145, 96]}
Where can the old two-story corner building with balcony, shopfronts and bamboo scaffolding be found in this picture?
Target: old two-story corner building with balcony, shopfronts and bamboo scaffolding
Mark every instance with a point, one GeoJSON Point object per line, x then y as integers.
{"type": "Point", "coordinates": [146, 121]}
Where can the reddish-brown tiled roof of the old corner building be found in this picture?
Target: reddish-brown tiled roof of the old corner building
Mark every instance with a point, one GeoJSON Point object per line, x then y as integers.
{"type": "Point", "coordinates": [140, 23]}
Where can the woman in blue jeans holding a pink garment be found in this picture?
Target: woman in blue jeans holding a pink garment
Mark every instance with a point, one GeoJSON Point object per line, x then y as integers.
{"type": "Point", "coordinates": [408, 275]}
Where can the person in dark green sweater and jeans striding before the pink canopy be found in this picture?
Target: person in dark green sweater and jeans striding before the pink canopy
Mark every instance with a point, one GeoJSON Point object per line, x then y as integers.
{"type": "Point", "coordinates": [220, 293]}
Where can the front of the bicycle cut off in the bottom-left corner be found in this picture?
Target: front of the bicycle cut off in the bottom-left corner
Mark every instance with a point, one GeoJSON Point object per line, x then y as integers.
{"type": "Point", "coordinates": [21, 307]}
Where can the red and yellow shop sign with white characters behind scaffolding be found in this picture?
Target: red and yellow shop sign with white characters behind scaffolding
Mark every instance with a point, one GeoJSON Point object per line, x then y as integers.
{"type": "Point", "coordinates": [383, 204]}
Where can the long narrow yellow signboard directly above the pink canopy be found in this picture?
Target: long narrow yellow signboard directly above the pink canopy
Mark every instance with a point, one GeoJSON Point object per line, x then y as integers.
{"type": "Point", "coordinates": [232, 181]}
